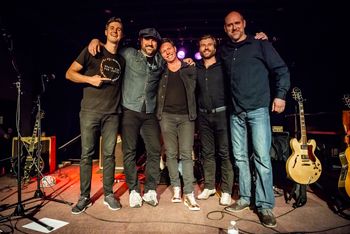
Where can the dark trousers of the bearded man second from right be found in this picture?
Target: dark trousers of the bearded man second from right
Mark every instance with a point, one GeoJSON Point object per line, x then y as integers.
{"type": "Point", "coordinates": [214, 138]}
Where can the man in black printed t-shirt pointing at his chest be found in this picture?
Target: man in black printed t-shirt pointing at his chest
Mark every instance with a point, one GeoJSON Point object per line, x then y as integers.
{"type": "Point", "coordinates": [101, 75]}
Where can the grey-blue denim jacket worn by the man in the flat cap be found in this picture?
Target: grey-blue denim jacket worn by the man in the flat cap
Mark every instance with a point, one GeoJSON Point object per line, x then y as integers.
{"type": "Point", "coordinates": [140, 83]}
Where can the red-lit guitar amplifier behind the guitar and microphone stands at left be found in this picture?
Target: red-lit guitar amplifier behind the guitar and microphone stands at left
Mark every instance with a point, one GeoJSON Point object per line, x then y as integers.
{"type": "Point", "coordinates": [48, 151]}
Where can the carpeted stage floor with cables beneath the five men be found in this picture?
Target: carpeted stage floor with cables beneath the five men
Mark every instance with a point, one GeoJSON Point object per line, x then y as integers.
{"type": "Point", "coordinates": [315, 216]}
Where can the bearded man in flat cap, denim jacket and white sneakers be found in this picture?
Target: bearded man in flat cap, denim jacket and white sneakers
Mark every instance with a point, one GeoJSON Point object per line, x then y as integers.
{"type": "Point", "coordinates": [140, 83]}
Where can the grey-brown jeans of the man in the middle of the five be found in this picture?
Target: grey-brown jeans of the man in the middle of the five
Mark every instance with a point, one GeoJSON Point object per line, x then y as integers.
{"type": "Point", "coordinates": [178, 137]}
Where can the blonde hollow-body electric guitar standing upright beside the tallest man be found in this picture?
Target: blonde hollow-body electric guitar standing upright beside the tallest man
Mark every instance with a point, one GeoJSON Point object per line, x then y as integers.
{"type": "Point", "coordinates": [303, 166]}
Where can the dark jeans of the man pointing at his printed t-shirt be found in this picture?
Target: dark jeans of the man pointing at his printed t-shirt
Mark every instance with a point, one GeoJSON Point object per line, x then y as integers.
{"type": "Point", "coordinates": [92, 126]}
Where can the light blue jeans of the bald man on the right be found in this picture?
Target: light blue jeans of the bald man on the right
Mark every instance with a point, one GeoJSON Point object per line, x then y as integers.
{"type": "Point", "coordinates": [256, 122]}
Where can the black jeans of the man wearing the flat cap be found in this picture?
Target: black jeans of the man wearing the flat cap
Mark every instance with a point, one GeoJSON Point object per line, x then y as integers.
{"type": "Point", "coordinates": [133, 124]}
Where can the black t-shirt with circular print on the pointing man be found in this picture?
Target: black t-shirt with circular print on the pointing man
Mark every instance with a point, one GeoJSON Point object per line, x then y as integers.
{"type": "Point", "coordinates": [106, 98]}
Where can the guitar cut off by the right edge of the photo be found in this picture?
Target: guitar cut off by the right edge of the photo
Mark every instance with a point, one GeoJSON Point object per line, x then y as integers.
{"type": "Point", "coordinates": [344, 157]}
